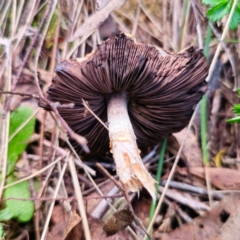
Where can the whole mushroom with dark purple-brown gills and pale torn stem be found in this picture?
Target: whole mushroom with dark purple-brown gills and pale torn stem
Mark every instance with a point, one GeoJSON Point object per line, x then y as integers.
{"type": "Point", "coordinates": [143, 92]}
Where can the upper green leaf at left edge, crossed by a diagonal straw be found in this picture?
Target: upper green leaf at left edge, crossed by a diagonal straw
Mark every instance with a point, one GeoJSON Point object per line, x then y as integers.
{"type": "Point", "coordinates": [19, 142]}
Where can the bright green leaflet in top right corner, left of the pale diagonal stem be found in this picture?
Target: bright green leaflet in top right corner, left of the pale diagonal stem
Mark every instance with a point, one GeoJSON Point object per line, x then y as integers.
{"type": "Point", "coordinates": [217, 12]}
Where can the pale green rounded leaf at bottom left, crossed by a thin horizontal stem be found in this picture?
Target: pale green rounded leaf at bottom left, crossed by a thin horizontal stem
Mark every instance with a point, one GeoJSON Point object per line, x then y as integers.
{"type": "Point", "coordinates": [20, 209]}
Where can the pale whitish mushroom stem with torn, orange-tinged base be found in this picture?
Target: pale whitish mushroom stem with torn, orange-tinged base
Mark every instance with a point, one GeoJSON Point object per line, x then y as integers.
{"type": "Point", "coordinates": [123, 145]}
